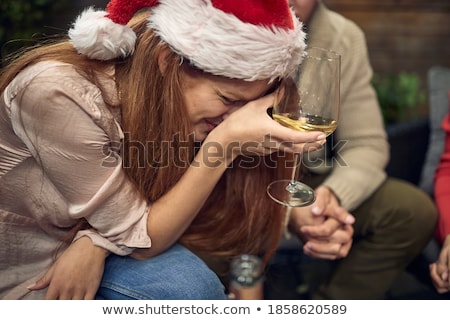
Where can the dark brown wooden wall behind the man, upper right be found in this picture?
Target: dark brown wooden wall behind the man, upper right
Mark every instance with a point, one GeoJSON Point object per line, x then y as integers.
{"type": "Point", "coordinates": [402, 35]}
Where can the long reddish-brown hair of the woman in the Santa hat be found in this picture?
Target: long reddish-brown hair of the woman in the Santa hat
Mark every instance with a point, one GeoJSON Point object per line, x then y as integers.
{"type": "Point", "coordinates": [238, 217]}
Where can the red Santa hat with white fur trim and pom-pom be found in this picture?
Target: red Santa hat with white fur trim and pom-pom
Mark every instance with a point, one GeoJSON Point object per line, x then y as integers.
{"type": "Point", "coordinates": [250, 40]}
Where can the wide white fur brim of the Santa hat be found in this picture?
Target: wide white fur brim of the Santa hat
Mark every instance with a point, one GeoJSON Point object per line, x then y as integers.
{"type": "Point", "coordinates": [221, 44]}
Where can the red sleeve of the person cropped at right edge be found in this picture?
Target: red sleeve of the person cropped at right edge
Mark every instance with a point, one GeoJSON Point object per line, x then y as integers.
{"type": "Point", "coordinates": [442, 185]}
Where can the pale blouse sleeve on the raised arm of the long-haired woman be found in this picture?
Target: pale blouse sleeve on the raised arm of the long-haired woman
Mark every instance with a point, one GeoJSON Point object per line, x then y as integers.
{"type": "Point", "coordinates": [54, 115]}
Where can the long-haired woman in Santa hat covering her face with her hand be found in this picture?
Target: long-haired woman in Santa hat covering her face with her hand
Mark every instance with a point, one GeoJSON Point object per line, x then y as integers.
{"type": "Point", "coordinates": [125, 141]}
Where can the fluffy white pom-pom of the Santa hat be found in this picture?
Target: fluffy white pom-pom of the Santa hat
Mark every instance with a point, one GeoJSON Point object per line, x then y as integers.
{"type": "Point", "coordinates": [95, 35]}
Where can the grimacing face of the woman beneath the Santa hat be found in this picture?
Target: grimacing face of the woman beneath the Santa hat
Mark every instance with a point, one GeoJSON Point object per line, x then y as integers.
{"type": "Point", "coordinates": [210, 99]}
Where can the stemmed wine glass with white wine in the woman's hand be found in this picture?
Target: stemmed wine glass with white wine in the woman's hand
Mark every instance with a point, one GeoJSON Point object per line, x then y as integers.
{"type": "Point", "coordinates": [310, 103]}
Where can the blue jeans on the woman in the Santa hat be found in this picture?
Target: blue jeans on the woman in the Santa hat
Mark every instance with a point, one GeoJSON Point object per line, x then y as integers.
{"type": "Point", "coordinates": [175, 274]}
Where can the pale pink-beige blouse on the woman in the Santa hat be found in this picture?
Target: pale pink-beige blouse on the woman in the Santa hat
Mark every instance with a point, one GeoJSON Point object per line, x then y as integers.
{"type": "Point", "coordinates": [59, 162]}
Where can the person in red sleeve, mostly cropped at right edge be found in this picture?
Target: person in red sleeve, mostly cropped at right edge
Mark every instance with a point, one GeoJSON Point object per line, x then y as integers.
{"type": "Point", "coordinates": [440, 270]}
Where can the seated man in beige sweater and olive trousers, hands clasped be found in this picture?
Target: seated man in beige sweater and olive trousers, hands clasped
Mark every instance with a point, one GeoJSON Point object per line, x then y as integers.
{"type": "Point", "coordinates": [394, 220]}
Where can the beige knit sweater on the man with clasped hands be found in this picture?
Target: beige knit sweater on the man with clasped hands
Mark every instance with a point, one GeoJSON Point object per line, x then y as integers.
{"type": "Point", "coordinates": [361, 141]}
